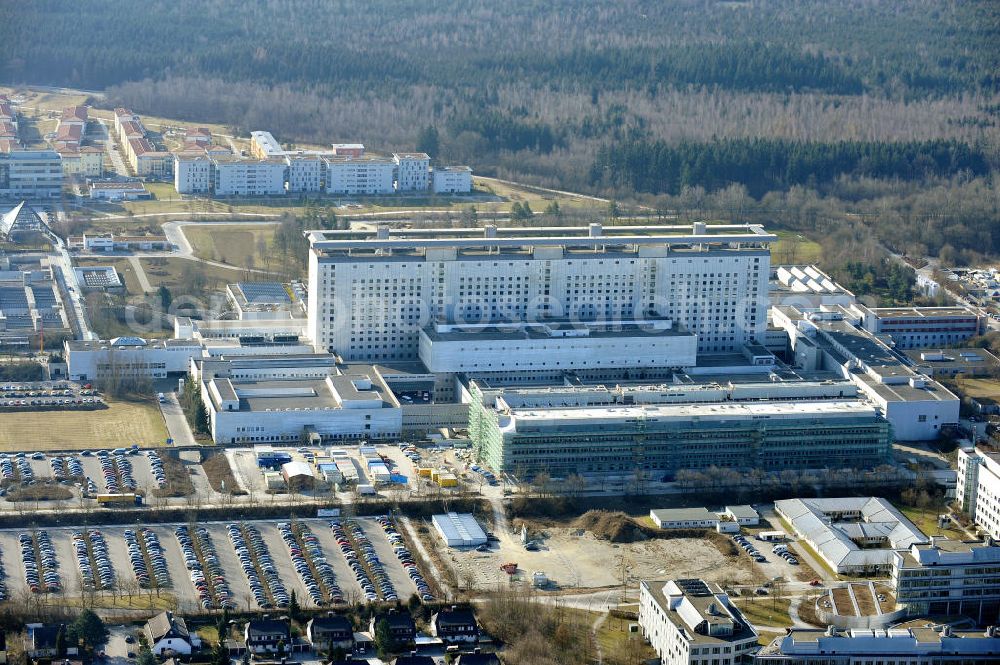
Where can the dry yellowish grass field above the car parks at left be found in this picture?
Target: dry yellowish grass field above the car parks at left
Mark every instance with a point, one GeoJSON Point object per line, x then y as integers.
{"type": "Point", "coordinates": [122, 424]}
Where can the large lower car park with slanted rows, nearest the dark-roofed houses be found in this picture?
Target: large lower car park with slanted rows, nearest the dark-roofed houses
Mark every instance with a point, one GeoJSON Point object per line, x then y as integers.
{"type": "Point", "coordinates": [114, 558]}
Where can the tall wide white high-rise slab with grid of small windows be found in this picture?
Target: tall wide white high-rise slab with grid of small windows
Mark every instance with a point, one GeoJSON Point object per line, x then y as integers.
{"type": "Point", "coordinates": [371, 293]}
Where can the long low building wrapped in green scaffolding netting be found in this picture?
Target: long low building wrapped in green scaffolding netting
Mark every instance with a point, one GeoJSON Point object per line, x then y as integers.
{"type": "Point", "coordinates": [570, 431]}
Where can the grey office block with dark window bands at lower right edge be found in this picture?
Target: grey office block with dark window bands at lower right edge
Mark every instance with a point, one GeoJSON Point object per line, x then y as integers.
{"type": "Point", "coordinates": [947, 577]}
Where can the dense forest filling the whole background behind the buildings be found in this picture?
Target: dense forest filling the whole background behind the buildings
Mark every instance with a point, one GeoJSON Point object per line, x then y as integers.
{"type": "Point", "coordinates": [884, 112]}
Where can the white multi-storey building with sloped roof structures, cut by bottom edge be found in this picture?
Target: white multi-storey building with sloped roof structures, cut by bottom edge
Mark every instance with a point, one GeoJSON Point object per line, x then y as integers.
{"type": "Point", "coordinates": [692, 622]}
